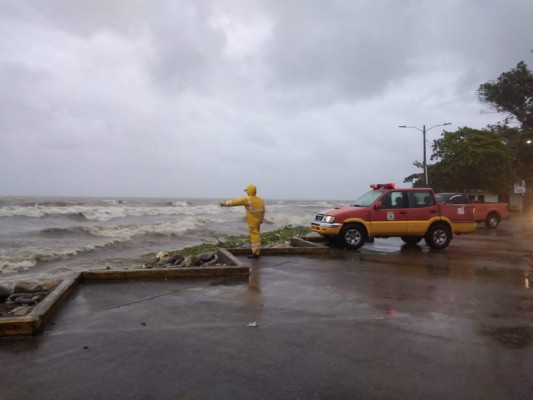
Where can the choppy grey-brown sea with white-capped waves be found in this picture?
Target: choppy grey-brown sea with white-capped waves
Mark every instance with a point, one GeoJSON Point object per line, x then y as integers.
{"type": "Point", "coordinates": [49, 237]}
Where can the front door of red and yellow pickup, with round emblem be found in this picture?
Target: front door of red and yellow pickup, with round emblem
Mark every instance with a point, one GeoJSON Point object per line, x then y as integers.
{"type": "Point", "coordinates": [392, 218]}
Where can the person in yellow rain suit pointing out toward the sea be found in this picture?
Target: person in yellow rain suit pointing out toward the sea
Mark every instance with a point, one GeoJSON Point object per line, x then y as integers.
{"type": "Point", "coordinates": [255, 213]}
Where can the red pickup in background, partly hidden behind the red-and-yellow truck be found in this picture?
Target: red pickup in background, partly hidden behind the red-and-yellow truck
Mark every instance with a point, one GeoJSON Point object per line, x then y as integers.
{"type": "Point", "coordinates": [489, 213]}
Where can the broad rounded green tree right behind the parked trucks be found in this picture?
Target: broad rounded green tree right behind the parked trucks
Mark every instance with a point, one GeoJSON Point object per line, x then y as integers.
{"type": "Point", "coordinates": [472, 159]}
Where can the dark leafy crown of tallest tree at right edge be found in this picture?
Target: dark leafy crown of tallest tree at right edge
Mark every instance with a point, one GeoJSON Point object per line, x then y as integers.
{"type": "Point", "coordinates": [511, 93]}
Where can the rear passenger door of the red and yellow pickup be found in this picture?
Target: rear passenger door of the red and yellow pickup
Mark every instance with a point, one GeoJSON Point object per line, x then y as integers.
{"type": "Point", "coordinates": [422, 209]}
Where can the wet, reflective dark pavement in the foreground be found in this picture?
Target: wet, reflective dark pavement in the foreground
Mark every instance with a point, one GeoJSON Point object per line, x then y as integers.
{"type": "Point", "coordinates": [386, 322]}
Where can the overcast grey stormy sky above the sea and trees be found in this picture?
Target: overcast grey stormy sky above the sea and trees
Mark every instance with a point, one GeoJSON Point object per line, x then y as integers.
{"type": "Point", "coordinates": [199, 98]}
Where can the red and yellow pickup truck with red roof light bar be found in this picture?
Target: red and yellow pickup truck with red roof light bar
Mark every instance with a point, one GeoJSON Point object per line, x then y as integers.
{"type": "Point", "coordinates": [386, 211]}
